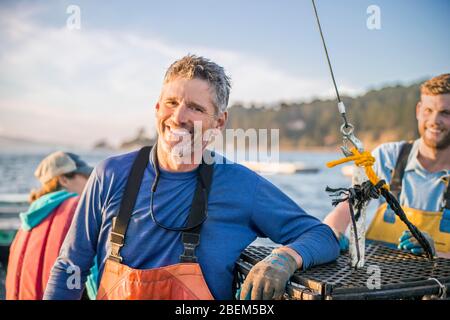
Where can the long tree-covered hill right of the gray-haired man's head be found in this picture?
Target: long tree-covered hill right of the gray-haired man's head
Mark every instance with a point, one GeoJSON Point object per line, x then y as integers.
{"type": "Point", "coordinates": [380, 115]}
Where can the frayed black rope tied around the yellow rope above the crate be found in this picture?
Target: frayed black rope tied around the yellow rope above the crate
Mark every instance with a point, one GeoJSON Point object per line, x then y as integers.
{"type": "Point", "coordinates": [358, 195]}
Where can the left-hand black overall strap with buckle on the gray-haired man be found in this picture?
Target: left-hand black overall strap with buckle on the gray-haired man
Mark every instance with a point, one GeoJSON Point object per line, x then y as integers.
{"type": "Point", "coordinates": [120, 223]}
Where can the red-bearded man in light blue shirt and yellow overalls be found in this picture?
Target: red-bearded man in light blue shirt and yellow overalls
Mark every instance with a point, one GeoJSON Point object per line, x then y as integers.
{"type": "Point", "coordinates": [418, 174]}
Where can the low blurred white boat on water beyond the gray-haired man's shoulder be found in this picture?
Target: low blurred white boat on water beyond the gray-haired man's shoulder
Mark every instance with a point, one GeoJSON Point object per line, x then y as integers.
{"type": "Point", "coordinates": [279, 167]}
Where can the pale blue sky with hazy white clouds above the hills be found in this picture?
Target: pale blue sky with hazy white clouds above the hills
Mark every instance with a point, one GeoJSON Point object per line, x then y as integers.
{"type": "Point", "coordinates": [101, 81]}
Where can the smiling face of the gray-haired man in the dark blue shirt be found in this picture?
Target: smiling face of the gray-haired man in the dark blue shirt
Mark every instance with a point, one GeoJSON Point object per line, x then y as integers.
{"type": "Point", "coordinates": [184, 102]}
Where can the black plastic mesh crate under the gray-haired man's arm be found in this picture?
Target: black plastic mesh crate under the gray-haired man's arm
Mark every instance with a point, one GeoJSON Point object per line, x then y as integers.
{"type": "Point", "coordinates": [401, 276]}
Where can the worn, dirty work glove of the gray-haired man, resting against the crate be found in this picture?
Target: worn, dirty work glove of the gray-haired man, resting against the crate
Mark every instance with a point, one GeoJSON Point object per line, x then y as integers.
{"type": "Point", "coordinates": [268, 278]}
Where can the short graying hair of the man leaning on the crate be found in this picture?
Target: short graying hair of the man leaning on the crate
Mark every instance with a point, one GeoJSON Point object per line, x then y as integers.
{"type": "Point", "coordinates": [196, 67]}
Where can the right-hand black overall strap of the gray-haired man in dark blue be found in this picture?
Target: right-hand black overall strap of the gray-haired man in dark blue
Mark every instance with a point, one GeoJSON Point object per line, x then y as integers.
{"type": "Point", "coordinates": [198, 213]}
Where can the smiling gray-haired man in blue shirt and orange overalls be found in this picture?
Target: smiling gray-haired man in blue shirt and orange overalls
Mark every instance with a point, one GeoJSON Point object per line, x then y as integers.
{"type": "Point", "coordinates": [163, 226]}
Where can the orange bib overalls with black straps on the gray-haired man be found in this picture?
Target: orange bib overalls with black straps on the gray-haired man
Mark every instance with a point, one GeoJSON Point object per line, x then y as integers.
{"type": "Point", "coordinates": [181, 281]}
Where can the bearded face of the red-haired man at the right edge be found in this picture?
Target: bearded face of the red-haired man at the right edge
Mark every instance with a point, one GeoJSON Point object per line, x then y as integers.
{"type": "Point", "coordinates": [433, 118]}
